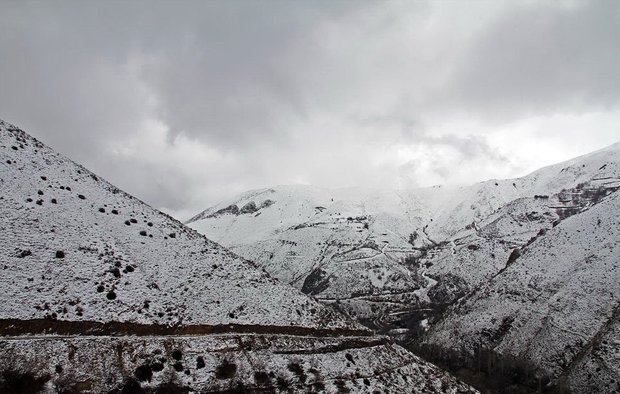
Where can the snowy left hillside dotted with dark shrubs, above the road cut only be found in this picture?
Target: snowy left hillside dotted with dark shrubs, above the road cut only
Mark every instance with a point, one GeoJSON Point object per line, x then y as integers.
{"type": "Point", "coordinates": [171, 275]}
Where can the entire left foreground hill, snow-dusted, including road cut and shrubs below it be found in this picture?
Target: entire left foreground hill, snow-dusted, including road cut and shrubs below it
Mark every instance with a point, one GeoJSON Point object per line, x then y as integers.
{"type": "Point", "coordinates": [101, 292]}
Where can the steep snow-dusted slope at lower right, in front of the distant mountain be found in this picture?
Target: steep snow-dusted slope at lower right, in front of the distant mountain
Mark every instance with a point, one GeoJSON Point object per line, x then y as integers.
{"type": "Point", "coordinates": [551, 304]}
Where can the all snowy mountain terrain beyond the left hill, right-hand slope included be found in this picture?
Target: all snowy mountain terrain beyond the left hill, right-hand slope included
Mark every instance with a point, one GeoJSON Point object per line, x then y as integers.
{"type": "Point", "coordinates": [519, 274]}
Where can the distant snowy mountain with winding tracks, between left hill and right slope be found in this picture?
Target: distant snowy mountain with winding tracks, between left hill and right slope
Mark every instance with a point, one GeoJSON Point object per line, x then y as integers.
{"type": "Point", "coordinates": [378, 253]}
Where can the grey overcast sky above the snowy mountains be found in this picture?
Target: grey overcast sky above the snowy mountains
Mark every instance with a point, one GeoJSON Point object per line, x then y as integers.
{"type": "Point", "coordinates": [184, 104]}
